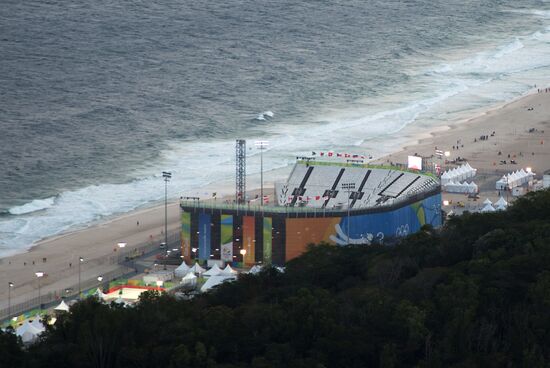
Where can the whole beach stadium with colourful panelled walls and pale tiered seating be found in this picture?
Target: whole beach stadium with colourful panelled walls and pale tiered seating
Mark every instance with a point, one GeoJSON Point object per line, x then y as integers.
{"type": "Point", "coordinates": [338, 203]}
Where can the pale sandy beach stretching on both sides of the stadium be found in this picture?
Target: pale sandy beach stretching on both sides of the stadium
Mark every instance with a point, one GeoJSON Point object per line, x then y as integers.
{"type": "Point", "coordinates": [521, 130]}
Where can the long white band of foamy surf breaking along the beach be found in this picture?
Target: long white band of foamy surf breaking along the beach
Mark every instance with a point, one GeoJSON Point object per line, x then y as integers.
{"type": "Point", "coordinates": [433, 94]}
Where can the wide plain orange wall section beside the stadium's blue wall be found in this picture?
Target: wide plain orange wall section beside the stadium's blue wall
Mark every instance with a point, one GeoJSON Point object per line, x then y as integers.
{"type": "Point", "coordinates": [303, 231]}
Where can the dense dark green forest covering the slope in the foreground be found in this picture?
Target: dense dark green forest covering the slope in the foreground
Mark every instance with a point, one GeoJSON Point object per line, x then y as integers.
{"type": "Point", "coordinates": [475, 293]}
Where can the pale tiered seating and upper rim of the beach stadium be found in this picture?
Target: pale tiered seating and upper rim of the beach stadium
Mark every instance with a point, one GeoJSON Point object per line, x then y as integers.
{"type": "Point", "coordinates": [327, 187]}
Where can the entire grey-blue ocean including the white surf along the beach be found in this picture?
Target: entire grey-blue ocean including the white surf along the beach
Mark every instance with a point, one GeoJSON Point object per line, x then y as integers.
{"type": "Point", "coordinates": [97, 99]}
